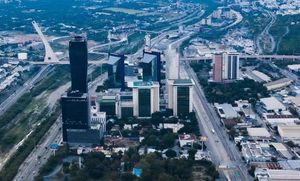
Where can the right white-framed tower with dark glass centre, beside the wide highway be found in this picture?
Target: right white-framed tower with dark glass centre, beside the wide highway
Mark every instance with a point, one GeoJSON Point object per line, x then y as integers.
{"type": "Point", "coordinates": [180, 96]}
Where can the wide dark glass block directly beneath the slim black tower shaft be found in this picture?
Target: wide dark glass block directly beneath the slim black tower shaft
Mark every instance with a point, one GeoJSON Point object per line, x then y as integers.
{"type": "Point", "coordinates": [75, 113]}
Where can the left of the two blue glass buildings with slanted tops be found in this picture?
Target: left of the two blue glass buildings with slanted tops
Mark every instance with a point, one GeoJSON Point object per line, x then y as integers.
{"type": "Point", "coordinates": [116, 69]}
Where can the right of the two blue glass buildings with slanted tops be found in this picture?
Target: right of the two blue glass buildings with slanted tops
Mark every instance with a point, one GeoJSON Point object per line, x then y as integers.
{"type": "Point", "coordinates": [151, 64]}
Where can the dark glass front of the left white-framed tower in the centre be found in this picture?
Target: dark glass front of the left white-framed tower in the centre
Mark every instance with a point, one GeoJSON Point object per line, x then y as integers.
{"type": "Point", "coordinates": [144, 102]}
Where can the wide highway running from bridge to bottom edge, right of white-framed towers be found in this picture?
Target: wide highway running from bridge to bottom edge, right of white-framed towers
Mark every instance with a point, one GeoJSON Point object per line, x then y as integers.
{"type": "Point", "coordinates": [223, 151]}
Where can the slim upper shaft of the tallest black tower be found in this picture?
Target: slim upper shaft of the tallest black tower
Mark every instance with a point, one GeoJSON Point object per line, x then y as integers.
{"type": "Point", "coordinates": [78, 55]}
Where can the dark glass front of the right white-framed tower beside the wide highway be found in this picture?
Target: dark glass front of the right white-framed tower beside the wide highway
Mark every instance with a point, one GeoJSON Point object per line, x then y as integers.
{"type": "Point", "coordinates": [183, 100]}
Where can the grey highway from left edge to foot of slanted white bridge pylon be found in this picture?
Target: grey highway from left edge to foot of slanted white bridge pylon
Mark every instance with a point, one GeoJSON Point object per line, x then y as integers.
{"type": "Point", "coordinates": [5, 105]}
